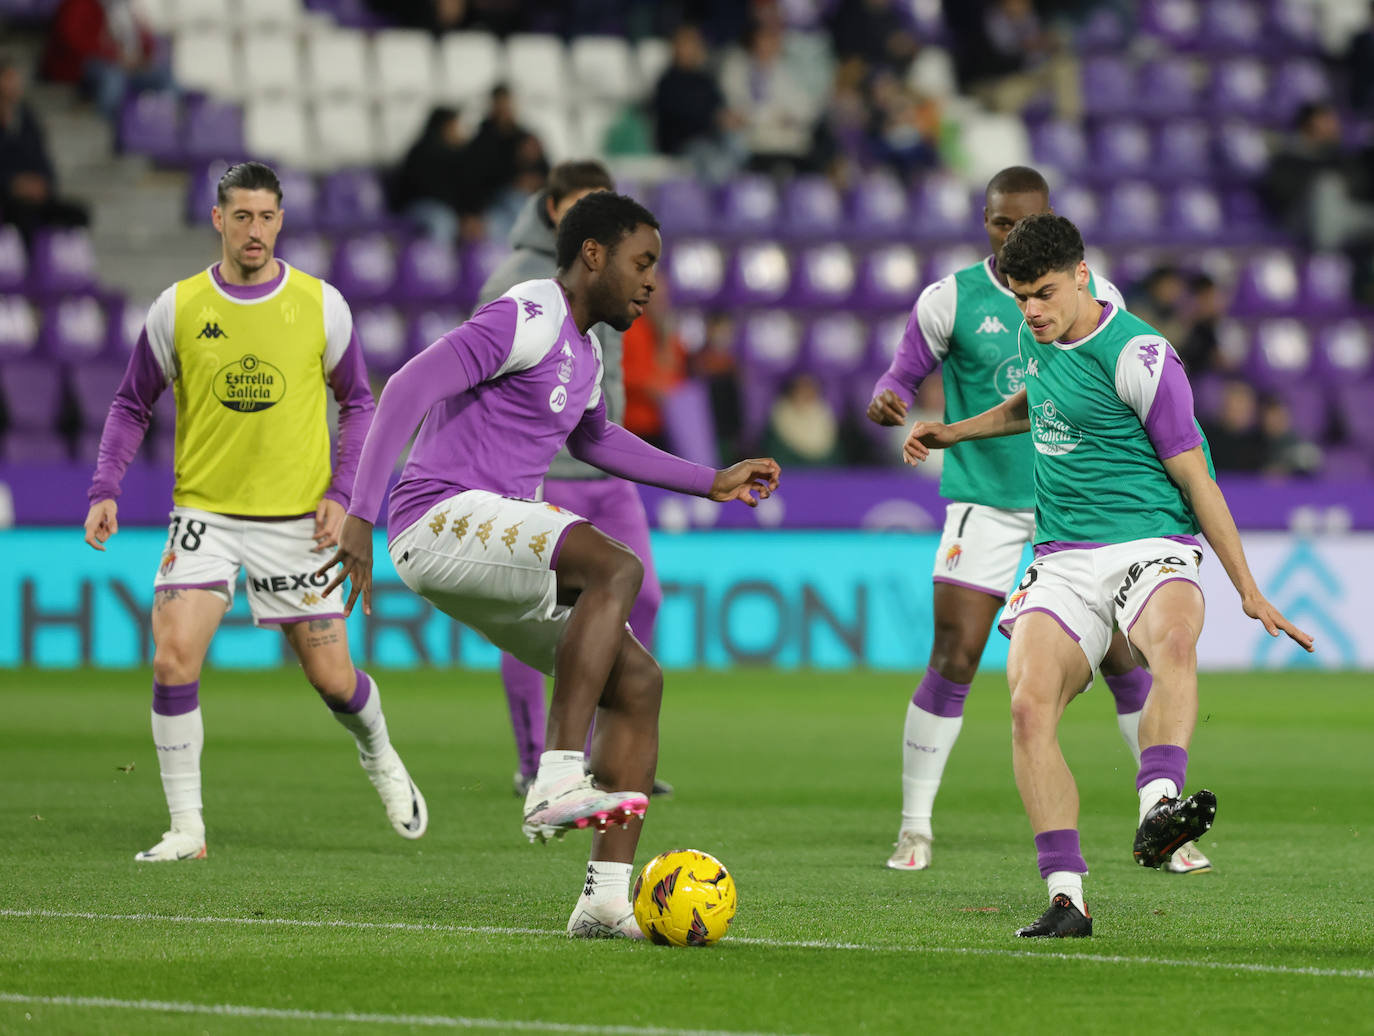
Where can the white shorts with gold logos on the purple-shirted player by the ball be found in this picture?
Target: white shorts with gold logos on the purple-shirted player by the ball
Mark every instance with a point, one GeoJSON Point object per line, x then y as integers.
{"type": "Point", "coordinates": [488, 563]}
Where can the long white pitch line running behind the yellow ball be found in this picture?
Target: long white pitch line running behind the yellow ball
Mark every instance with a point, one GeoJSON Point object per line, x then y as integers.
{"type": "Point", "coordinates": [739, 941]}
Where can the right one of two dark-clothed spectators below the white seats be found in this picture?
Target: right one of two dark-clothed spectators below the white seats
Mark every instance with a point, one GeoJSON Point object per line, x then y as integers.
{"type": "Point", "coordinates": [506, 164]}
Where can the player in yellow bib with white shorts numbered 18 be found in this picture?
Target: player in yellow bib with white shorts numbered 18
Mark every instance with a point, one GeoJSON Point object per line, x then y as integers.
{"type": "Point", "coordinates": [249, 348]}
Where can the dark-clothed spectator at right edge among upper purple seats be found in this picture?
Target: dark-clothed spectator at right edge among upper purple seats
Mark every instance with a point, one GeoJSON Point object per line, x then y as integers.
{"type": "Point", "coordinates": [1317, 188]}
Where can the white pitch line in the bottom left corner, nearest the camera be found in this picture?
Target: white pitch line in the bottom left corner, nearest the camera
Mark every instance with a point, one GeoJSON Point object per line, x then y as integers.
{"type": "Point", "coordinates": [431, 1022]}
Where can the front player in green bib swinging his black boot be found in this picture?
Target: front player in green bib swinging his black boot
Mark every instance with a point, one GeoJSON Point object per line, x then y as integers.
{"type": "Point", "coordinates": [1122, 484]}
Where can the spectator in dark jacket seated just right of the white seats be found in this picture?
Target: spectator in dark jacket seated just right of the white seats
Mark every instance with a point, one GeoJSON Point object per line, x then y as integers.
{"type": "Point", "coordinates": [690, 112]}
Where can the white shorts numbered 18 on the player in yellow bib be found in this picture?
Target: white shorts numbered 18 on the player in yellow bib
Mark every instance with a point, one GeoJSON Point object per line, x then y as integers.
{"type": "Point", "coordinates": [205, 552]}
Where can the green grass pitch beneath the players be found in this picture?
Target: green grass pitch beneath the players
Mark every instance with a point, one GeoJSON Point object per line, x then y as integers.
{"type": "Point", "coordinates": [311, 916]}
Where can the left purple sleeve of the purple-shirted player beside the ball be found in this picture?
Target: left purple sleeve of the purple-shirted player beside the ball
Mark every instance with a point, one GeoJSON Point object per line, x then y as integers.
{"type": "Point", "coordinates": [464, 358]}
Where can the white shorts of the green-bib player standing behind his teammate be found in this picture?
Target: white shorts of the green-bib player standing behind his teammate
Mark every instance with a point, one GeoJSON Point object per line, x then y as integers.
{"type": "Point", "coordinates": [982, 548]}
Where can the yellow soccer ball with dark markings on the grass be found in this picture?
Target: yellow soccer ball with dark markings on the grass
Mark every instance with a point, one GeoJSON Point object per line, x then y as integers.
{"type": "Point", "coordinates": [685, 898]}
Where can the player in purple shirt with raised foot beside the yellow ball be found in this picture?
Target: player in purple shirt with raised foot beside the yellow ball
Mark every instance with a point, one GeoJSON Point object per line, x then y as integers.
{"type": "Point", "coordinates": [499, 396]}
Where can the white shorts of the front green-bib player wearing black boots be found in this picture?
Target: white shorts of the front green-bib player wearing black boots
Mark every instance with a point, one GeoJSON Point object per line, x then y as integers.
{"type": "Point", "coordinates": [1090, 592]}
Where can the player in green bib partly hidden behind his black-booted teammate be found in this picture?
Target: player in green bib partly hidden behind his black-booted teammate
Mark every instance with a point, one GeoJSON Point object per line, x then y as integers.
{"type": "Point", "coordinates": [967, 325]}
